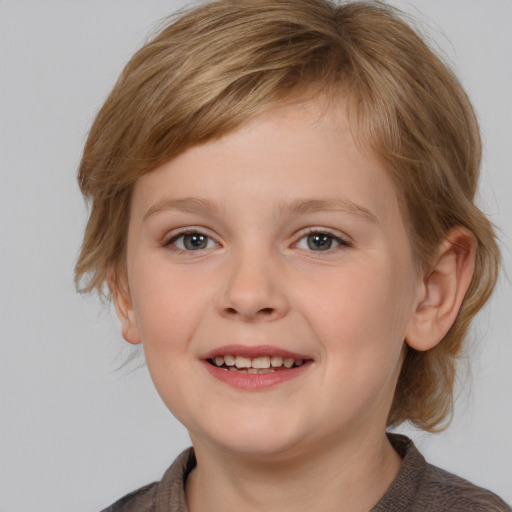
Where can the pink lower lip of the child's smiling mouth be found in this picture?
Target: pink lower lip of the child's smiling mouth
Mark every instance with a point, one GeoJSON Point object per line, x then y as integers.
{"type": "Point", "coordinates": [255, 381]}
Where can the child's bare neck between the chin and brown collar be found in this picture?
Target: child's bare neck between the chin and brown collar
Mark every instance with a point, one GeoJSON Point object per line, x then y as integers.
{"type": "Point", "coordinates": [350, 476]}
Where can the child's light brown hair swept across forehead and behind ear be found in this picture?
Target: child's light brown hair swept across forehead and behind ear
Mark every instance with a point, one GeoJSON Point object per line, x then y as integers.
{"type": "Point", "coordinates": [223, 63]}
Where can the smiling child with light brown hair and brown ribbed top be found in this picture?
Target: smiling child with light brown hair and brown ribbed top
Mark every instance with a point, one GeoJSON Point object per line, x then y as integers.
{"type": "Point", "coordinates": [282, 208]}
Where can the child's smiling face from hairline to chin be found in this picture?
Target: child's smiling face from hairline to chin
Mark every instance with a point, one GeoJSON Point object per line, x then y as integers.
{"type": "Point", "coordinates": [280, 239]}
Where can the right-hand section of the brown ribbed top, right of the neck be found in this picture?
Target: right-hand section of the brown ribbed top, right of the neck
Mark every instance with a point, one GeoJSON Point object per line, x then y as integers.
{"type": "Point", "coordinates": [422, 487]}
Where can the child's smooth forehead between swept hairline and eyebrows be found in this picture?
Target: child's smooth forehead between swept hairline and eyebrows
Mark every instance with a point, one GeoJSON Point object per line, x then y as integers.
{"type": "Point", "coordinates": [304, 150]}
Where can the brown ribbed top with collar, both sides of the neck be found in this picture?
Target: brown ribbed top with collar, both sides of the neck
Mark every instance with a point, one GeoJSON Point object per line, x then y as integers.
{"type": "Point", "coordinates": [418, 487]}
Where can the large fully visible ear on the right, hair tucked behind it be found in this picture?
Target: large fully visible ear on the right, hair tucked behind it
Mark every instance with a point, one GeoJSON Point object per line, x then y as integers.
{"type": "Point", "coordinates": [442, 290]}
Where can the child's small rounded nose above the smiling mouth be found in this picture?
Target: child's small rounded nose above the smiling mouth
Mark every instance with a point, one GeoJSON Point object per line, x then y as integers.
{"type": "Point", "coordinates": [253, 290]}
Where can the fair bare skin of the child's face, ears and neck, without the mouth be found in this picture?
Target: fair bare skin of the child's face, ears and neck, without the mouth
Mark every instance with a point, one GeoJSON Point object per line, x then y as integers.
{"type": "Point", "coordinates": [257, 194]}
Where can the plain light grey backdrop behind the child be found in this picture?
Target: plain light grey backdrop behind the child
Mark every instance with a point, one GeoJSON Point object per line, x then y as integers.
{"type": "Point", "coordinates": [75, 434]}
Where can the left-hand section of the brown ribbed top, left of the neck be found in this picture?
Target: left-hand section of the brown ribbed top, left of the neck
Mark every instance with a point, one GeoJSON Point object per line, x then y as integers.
{"type": "Point", "coordinates": [159, 496]}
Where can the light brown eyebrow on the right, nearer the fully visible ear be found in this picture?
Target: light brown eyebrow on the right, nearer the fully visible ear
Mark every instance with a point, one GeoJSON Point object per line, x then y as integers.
{"type": "Point", "coordinates": [335, 204]}
